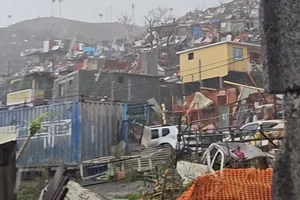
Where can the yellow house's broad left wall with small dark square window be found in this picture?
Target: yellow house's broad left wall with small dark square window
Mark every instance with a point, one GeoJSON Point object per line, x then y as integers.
{"type": "Point", "coordinates": [214, 63]}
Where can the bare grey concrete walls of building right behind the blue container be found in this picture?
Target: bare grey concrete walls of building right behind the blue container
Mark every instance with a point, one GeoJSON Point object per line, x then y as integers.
{"type": "Point", "coordinates": [120, 86]}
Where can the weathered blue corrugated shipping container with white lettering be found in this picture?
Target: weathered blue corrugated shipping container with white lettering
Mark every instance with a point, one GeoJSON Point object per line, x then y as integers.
{"type": "Point", "coordinates": [76, 132]}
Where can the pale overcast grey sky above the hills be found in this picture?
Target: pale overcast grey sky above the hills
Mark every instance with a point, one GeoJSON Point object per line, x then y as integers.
{"type": "Point", "coordinates": [89, 10]}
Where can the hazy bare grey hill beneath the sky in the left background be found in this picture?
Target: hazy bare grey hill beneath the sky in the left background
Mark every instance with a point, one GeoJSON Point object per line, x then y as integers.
{"type": "Point", "coordinates": [31, 33]}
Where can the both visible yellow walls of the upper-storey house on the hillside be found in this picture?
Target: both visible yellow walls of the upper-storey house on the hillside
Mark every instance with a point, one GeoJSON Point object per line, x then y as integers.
{"type": "Point", "coordinates": [216, 61]}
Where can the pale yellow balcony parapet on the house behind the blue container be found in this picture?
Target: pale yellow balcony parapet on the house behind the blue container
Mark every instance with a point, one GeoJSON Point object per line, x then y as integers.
{"type": "Point", "coordinates": [22, 96]}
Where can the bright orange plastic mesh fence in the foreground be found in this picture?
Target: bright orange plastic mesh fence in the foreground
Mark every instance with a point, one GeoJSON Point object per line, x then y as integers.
{"type": "Point", "coordinates": [246, 184]}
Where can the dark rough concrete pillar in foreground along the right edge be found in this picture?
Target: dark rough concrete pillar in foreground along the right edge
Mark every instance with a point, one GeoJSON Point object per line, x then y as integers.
{"type": "Point", "coordinates": [280, 42]}
